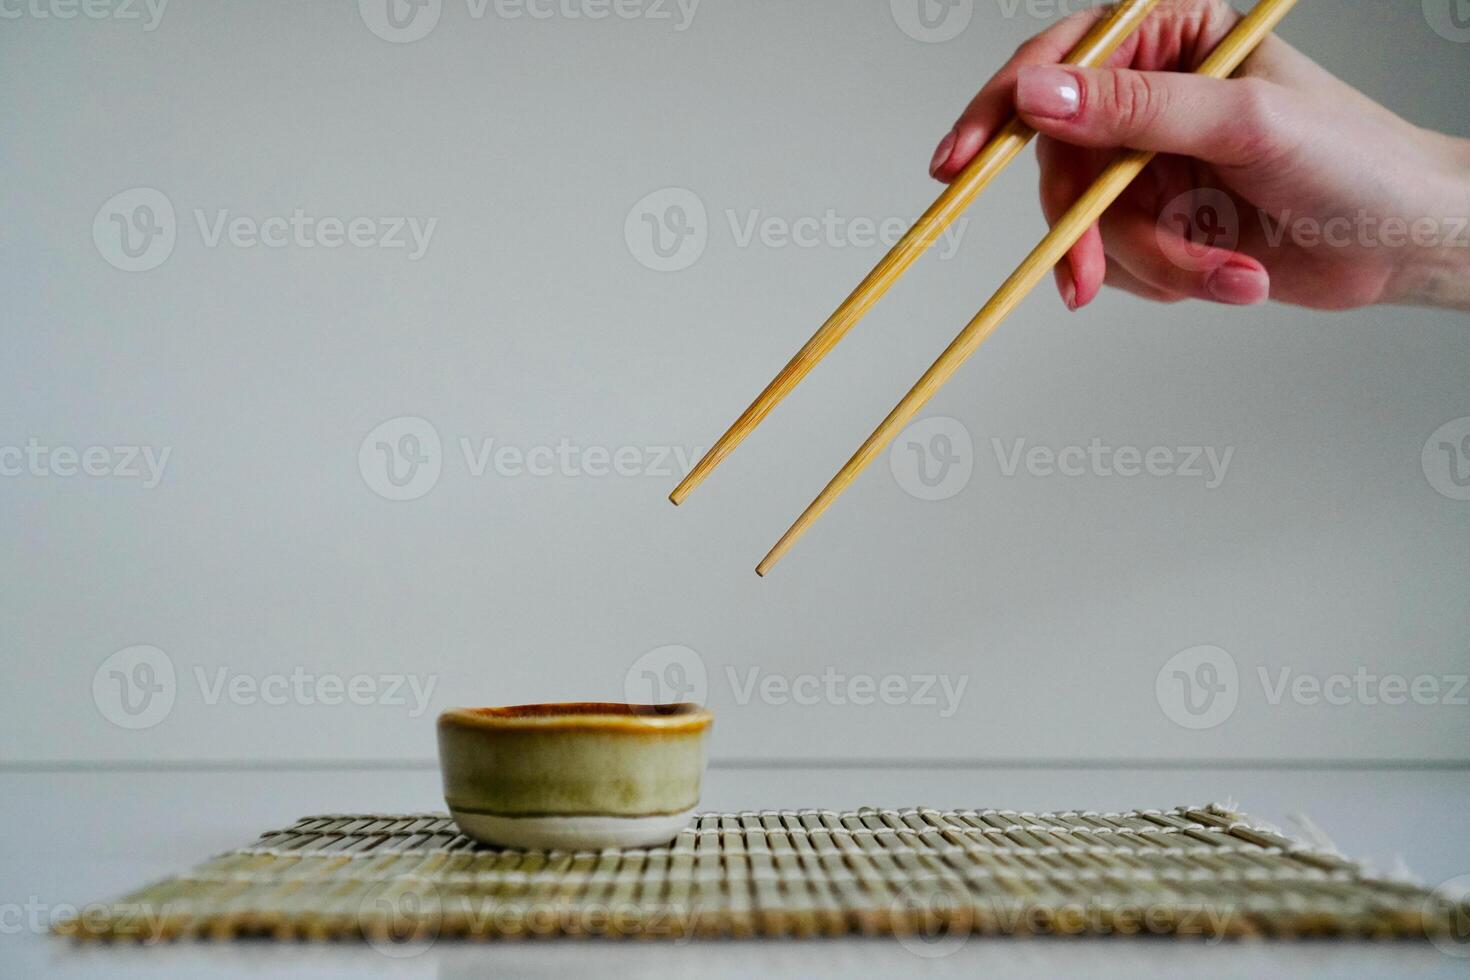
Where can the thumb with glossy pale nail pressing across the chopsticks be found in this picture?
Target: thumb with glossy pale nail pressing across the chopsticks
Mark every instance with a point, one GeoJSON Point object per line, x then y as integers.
{"type": "Point", "coordinates": [1233, 123]}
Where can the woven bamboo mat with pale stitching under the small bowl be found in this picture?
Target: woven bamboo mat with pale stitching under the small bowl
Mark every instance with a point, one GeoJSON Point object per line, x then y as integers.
{"type": "Point", "coordinates": [402, 879]}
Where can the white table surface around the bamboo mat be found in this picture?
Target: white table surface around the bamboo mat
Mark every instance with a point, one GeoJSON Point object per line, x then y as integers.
{"type": "Point", "coordinates": [74, 838]}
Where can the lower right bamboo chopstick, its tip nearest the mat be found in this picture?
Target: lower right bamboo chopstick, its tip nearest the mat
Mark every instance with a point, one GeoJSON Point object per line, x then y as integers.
{"type": "Point", "coordinates": [1115, 180]}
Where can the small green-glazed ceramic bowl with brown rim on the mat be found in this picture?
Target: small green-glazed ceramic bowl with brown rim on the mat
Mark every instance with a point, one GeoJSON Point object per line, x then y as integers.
{"type": "Point", "coordinates": [574, 777]}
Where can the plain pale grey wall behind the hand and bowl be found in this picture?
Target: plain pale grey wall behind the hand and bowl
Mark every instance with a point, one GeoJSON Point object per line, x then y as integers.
{"type": "Point", "coordinates": [530, 321]}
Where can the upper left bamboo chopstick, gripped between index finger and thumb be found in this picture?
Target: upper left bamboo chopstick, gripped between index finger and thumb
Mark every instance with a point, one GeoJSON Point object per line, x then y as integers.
{"type": "Point", "coordinates": [1008, 143]}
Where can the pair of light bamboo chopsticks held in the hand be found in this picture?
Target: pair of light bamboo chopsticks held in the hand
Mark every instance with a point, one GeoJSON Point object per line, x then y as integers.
{"type": "Point", "coordinates": [1009, 142]}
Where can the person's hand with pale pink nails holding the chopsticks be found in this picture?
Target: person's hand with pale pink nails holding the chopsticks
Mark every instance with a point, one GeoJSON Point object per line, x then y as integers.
{"type": "Point", "coordinates": [1283, 183]}
